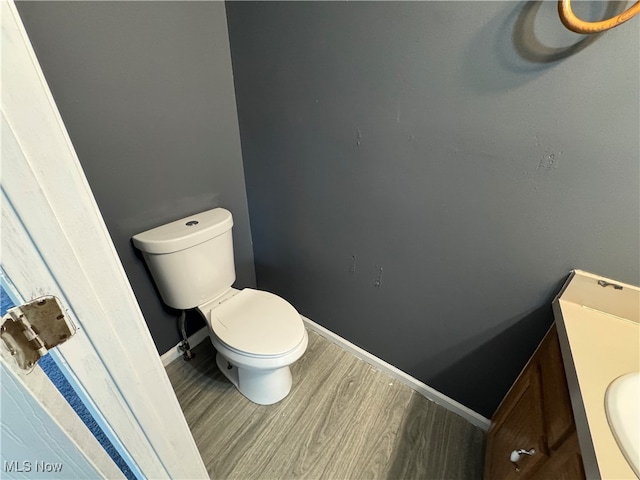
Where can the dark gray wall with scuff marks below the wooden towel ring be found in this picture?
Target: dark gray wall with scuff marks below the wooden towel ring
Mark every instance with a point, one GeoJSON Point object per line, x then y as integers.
{"type": "Point", "coordinates": [422, 176]}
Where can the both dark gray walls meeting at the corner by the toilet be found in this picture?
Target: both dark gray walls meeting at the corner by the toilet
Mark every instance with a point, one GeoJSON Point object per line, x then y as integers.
{"type": "Point", "coordinates": [421, 175]}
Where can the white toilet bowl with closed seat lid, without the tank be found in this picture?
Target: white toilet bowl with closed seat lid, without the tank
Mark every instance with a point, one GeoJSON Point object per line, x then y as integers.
{"type": "Point", "coordinates": [257, 336]}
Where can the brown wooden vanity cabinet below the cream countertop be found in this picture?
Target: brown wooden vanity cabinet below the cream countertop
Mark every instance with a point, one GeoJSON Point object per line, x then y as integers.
{"type": "Point", "coordinates": [536, 414]}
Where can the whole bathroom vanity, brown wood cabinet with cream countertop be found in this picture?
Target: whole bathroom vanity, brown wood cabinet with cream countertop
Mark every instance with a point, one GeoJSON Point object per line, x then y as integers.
{"type": "Point", "coordinates": [553, 422]}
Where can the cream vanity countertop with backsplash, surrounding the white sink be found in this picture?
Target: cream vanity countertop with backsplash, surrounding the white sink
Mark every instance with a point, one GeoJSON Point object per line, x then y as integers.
{"type": "Point", "coordinates": [598, 322]}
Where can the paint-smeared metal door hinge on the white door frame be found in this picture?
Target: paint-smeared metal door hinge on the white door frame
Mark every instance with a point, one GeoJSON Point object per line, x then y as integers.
{"type": "Point", "coordinates": [32, 329]}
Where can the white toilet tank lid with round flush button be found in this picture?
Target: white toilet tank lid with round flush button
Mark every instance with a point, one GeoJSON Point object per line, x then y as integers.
{"type": "Point", "coordinates": [184, 233]}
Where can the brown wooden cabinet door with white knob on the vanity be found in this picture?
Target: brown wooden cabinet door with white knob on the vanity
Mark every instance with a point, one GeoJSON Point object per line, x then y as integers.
{"type": "Point", "coordinates": [518, 425]}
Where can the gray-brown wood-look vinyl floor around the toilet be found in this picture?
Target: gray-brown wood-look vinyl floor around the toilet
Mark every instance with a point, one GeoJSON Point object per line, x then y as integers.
{"type": "Point", "coordinates": [343, 420]}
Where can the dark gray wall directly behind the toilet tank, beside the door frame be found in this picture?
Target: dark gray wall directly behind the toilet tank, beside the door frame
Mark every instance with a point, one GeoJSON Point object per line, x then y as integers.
{"type": "Point", "coordinates": [146, 92]}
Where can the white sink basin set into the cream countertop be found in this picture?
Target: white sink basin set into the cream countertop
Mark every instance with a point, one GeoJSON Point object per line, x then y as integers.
{"type": "Point", "coordinates": [622, 404]}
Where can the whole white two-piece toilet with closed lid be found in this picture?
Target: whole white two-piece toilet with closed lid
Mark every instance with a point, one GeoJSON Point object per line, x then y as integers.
{"type": "Point", "coordinates": [257, 334]}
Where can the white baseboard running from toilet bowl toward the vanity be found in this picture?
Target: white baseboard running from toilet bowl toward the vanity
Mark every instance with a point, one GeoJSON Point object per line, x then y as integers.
{"type": "Point", "coordinates": [423, 389]}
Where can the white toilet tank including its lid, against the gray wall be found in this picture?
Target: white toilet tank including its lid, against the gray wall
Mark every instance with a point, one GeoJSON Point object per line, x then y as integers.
{"type": "Point", "coordinates": [191, 259]}
